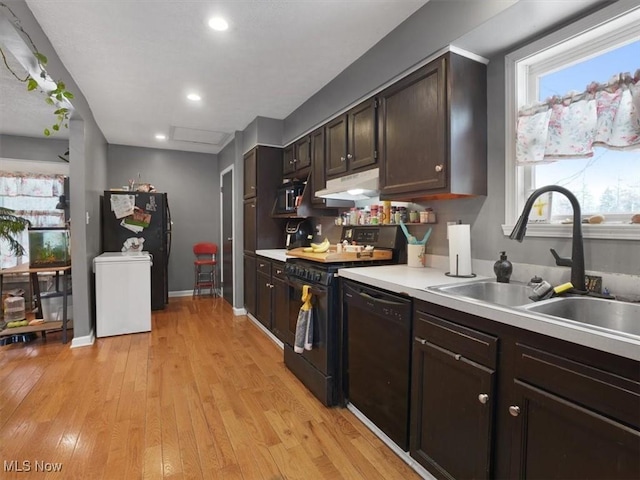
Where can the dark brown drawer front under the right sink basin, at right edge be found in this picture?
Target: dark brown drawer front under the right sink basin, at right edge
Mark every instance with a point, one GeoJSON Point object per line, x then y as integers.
{"type": "Point", "coordinates": [597, 389]}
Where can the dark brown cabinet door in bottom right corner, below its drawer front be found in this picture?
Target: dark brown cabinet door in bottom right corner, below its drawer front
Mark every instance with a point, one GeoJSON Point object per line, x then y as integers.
{"type": "Point", "coordinates": [557, 439]}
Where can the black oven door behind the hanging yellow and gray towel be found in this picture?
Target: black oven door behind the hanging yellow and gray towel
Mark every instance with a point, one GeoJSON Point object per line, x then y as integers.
{"type": "Point", "coordinates": [318, 355]}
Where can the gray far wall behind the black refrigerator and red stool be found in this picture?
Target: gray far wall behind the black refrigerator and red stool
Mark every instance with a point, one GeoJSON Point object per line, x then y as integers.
{"type": "Point", "coordinates": [192, 182]}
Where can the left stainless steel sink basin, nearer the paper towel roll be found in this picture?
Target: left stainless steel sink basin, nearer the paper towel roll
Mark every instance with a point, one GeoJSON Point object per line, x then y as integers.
{"type": "Point", "coordinates": [507, 294]}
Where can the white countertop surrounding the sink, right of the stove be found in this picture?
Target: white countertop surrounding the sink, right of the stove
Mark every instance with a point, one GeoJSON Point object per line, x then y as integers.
{"type": "Point", "coordinates": [414, 282]}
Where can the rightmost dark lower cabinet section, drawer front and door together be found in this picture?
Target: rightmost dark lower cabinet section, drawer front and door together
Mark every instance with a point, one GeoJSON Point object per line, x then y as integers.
{"type": "Point", "coordinates": [572, 420]}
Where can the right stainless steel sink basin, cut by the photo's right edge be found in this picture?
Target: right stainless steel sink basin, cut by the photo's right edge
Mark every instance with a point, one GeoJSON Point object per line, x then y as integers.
{"type": "Point", "coordinates": [614, 315]}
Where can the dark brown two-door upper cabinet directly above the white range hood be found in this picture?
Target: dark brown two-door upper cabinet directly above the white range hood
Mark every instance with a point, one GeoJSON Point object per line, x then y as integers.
{"type": "Point", "coordinates": [351, 140]}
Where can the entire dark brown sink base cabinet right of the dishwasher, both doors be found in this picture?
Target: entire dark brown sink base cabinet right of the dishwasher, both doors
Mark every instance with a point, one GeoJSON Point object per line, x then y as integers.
{"type": "Point", "coordinates": [491, 400]}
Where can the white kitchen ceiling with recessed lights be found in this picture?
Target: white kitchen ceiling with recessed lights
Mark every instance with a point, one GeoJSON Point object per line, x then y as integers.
{"type": "Point", "coordinates": [135, 61]}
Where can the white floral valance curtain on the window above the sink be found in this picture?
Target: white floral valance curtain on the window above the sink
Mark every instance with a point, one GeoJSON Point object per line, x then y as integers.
{"type": "Point", "coordinates": [570, 126]}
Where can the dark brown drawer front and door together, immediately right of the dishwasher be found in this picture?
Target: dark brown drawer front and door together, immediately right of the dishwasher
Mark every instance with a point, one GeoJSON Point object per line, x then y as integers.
{"type": "Point", "coordinates": [453, 399]}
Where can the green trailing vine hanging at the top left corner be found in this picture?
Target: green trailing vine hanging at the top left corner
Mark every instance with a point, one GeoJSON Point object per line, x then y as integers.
{"type": "Point", "coordinates": [56, 97]}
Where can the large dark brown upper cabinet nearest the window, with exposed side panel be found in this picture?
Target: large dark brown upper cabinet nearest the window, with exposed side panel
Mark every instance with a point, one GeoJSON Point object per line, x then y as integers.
{"type": "Point", "coordinates": [433, 131]}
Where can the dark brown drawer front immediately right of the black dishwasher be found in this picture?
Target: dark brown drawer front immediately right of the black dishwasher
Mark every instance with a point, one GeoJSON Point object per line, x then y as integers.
{"type": "Point", "coordinates": [471, 344]}
